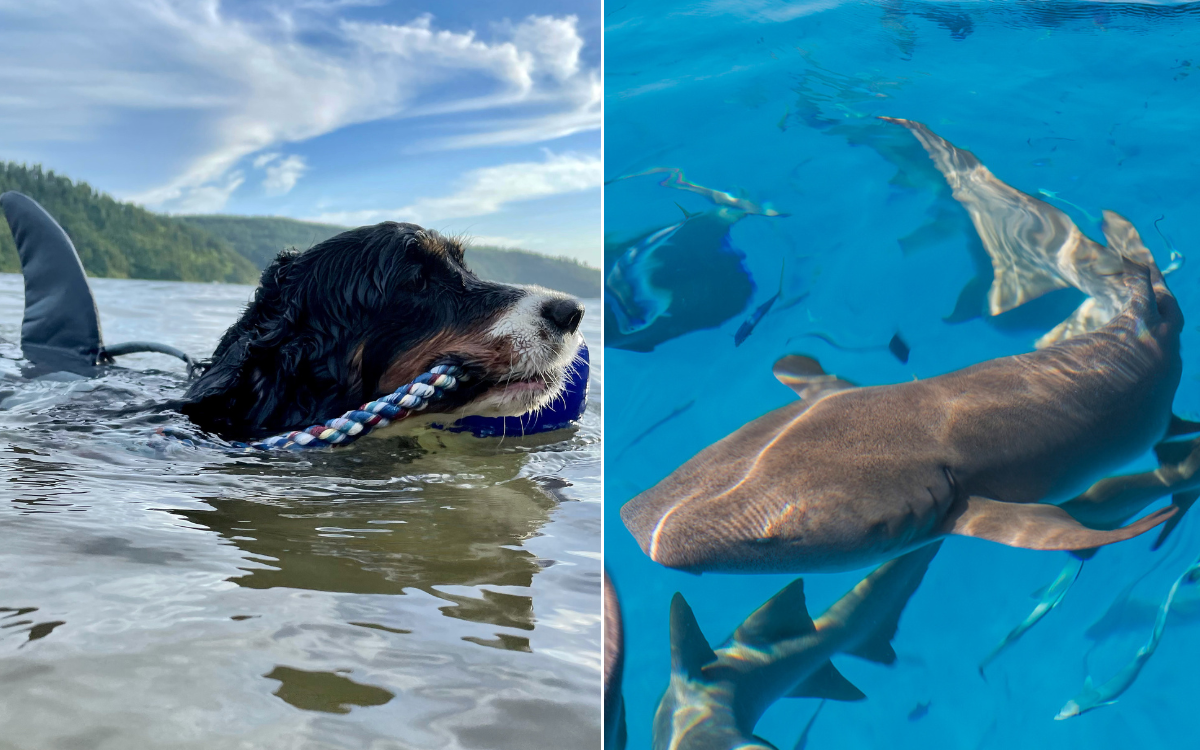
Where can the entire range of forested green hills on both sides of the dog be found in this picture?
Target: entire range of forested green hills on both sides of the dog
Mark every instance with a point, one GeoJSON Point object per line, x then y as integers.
{"type": "Point", "coordinates": [127, 242]}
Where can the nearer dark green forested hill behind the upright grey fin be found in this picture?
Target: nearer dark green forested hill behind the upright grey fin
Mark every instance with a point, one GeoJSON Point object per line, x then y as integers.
{"type": "Point", "coordinates": [121, 239]}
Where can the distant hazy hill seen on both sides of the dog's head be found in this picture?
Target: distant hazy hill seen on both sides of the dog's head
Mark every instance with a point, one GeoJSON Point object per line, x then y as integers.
{"type": "Point", "coordinates": [261, 238]}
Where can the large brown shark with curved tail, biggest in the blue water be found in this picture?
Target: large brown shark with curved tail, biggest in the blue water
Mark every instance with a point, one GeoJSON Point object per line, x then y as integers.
{"type": "Point", "coordinates": [848, 477]}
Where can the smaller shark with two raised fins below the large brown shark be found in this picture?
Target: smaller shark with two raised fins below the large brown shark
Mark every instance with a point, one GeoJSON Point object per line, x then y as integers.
{"type": "Point", "coordinates": [716, 698]}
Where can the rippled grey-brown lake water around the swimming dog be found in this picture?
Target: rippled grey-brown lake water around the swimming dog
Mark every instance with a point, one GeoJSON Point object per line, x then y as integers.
{"type": "Point", "coordinates": [385, 596]}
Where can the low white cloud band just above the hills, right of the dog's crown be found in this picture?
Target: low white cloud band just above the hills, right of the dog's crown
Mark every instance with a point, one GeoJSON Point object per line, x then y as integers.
{"type": "Point", "coordinates": [488, 190]}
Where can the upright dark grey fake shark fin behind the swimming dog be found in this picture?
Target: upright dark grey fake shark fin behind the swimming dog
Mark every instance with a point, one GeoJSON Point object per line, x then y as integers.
{"type": "Point", "coordinates": [62, 328]}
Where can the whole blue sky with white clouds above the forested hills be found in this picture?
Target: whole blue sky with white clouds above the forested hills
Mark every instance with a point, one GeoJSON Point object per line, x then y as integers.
{"type": "Point", "coordinates": [469, 117]}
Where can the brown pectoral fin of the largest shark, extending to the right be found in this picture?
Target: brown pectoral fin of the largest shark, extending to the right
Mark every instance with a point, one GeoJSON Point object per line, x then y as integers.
{"type": "Point", "coordinates": [1036, 526]}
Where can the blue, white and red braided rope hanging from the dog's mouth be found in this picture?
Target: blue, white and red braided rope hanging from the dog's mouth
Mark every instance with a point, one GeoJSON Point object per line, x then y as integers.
{"type": "Point", "coordinates": [353, 425]}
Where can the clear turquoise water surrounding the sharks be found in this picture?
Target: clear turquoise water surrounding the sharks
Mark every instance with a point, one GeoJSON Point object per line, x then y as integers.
{"type": "Point", "coordinates": [1088, 106]}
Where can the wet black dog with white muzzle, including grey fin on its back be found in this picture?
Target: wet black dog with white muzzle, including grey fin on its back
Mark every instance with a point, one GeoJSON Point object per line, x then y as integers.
{"type": "Point", "coordinates": [331, 328]}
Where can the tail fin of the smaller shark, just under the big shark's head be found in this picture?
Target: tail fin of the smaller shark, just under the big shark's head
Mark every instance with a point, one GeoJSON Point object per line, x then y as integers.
{"type": "Point", "coordinates": [893, 584]}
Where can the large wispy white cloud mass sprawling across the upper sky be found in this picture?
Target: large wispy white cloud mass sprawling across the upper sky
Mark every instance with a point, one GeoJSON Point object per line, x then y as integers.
{"type": "Point", "coordinates": [254, 87]}
